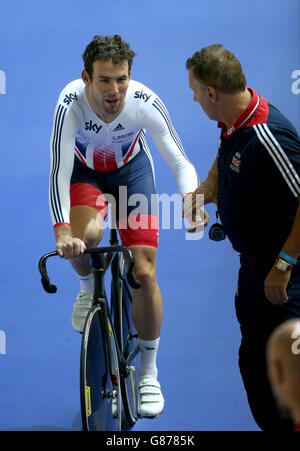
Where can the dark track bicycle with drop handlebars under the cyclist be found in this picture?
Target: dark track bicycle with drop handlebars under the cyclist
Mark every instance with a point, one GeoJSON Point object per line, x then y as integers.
{"type": "Point", "coordinates": [109, 346]}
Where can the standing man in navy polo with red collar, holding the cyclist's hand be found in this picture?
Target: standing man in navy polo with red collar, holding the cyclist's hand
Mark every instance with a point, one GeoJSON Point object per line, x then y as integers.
{"type": "Point", "coordinates": [255, 182]}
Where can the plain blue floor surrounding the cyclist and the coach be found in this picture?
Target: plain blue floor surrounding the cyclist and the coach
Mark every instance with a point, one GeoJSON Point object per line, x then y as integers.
{"type": "Point", "coordinates": [40, 52]}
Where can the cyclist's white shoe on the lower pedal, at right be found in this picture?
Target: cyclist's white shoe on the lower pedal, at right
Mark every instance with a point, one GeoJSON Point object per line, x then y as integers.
{"type": "Point", "coordinates": [151, 400]}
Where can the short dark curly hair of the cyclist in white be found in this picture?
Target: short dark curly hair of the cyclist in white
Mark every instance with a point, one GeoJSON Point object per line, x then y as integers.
{"type": "Point", "coordinates": [107, 48]}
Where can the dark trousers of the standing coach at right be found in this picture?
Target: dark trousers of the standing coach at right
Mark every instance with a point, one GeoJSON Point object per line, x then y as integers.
{"type": "Point", "coordinates": [258, 317]}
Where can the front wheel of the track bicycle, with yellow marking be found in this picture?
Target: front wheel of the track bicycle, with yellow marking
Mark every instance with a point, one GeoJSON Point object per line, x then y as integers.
{"type": "Point", "coordinates": [99, 376]}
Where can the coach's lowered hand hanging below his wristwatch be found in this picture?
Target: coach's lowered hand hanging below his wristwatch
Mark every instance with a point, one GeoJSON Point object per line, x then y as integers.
{"type": "Point", "coordinates": [275, 286]}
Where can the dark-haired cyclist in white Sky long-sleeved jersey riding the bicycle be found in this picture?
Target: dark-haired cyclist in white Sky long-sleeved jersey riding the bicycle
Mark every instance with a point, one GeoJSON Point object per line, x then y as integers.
{"type": "Point", "coordinates": [98, 146]}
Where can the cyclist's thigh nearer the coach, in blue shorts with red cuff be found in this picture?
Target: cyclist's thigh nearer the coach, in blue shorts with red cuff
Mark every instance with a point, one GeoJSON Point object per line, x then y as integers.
{"type": "Point", "coordinates": [137, 209]}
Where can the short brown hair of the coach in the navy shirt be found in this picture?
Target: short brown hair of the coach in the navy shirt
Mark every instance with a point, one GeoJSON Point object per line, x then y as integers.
{"type": "Point", "coordinates": [219, 68]}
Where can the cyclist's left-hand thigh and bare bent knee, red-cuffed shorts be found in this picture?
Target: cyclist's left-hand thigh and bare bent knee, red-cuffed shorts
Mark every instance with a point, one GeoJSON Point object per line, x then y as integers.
{"type": "Point", "coordinates": [88, 204]}
